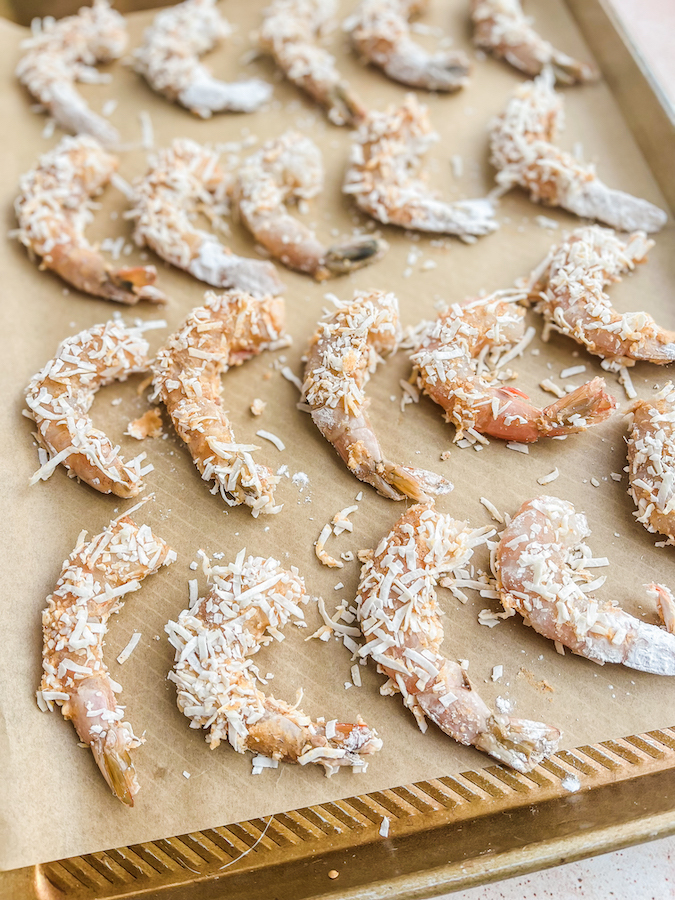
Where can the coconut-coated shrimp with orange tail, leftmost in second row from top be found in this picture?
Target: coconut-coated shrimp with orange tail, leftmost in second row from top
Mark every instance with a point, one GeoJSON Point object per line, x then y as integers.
{"type": "Point", "coordinates": [53, 209]}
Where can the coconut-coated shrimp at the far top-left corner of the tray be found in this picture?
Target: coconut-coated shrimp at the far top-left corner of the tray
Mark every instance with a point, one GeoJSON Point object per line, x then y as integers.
{"type": "Point", "coordinates": [61, 53]}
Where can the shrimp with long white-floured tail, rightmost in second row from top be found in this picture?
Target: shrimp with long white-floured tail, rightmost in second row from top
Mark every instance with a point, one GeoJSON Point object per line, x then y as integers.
{"type": "Point", "coordinates": [524, 153]}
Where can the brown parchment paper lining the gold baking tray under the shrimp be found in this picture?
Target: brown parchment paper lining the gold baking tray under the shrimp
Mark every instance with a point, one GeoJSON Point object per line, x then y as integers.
{"type": "Point", "coordinates": [54, 801]}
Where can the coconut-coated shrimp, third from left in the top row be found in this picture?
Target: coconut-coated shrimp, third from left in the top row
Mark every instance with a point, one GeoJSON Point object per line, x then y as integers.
{"type": "Point", "coordinates": [290, 32]}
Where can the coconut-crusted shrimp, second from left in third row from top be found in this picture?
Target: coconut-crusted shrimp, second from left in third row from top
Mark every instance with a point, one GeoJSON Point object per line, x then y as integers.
{"type": "Point", "coordinates": [229, 329]}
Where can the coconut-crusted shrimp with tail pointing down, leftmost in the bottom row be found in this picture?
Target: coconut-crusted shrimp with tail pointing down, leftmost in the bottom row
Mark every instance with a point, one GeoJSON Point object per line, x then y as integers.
{"type": "Point", "coordinates": [94, 580]}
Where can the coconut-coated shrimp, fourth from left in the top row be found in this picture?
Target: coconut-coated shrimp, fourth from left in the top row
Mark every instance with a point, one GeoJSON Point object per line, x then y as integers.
{"type": "Point", "coordinates": [380, 32]}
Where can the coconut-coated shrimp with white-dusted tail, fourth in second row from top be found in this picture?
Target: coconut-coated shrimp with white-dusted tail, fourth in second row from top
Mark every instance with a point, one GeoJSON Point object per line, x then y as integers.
{"type": "Point", "coordinates": [387, 150]}
